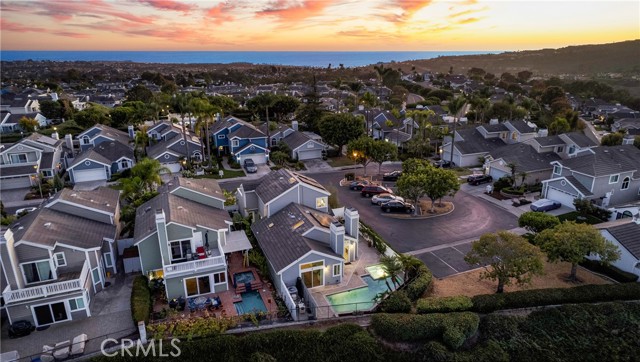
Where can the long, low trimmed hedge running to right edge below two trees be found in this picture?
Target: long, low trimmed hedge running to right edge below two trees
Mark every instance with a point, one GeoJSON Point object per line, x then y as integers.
{"type": "Point", "coordinates": [487, 303]}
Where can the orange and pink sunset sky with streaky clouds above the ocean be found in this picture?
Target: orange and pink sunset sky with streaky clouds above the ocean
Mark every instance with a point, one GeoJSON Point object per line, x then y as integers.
{"type": "Point", "coordinates": [313, 25]}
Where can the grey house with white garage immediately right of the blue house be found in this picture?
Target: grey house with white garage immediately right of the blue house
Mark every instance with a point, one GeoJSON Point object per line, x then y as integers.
{"type": "Point", "coordinates": [302, 146]}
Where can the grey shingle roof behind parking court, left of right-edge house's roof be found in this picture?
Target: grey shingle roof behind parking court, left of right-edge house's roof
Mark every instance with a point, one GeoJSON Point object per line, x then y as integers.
{"type": "Point", "coordinates": [525, 157]}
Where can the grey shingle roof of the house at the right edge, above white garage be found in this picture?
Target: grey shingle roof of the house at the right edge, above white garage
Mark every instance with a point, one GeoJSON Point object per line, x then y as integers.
{"type": "Point", "coordinates": [605, 161]}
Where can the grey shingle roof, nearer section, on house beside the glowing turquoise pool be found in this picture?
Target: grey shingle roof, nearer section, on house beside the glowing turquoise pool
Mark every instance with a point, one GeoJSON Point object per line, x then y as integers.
{"type": "Point", "coordinates": [282, 242]}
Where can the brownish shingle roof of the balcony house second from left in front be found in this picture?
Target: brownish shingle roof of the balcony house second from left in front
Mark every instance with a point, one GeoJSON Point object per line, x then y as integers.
{"type": "Point", "coordinates": [179, 210]}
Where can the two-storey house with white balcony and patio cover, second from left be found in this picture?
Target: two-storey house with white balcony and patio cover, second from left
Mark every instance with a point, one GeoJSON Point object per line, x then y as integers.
{"type": "Point", "coordinates": [183, 236]}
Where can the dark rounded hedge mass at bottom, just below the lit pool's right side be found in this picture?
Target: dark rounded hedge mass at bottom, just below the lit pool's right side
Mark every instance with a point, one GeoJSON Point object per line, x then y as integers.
{"type": "Point", "coordinates": [453, 328]}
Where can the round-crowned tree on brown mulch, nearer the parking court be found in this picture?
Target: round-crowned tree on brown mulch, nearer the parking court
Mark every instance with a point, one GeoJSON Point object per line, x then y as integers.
{"type": "Point", "coordinates": [506, 257]}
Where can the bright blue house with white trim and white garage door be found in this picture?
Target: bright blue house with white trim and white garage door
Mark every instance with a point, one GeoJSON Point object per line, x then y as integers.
{"type": "Point", "coordinates": [240, 140]}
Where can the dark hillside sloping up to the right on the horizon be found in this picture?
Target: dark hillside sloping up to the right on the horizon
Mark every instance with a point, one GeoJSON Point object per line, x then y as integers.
{"type": "Point", "coordinates": [573, 61]}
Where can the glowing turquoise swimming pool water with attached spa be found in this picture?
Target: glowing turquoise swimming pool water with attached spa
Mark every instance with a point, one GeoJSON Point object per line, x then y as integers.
{"type": "Point", "coordinates": [360, 299]}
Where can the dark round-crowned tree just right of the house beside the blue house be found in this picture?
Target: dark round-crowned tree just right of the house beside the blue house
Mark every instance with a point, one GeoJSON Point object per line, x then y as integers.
{"type": "Point", "coordinates": [338, 129]}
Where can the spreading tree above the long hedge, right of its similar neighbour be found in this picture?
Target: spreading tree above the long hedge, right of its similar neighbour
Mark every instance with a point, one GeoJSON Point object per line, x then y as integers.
{"type": "Point", "coordinates": [572, 242]}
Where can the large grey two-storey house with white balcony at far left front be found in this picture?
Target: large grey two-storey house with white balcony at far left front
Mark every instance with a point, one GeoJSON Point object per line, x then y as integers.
{"type": "Point", "coordinates": [57, 258]}
